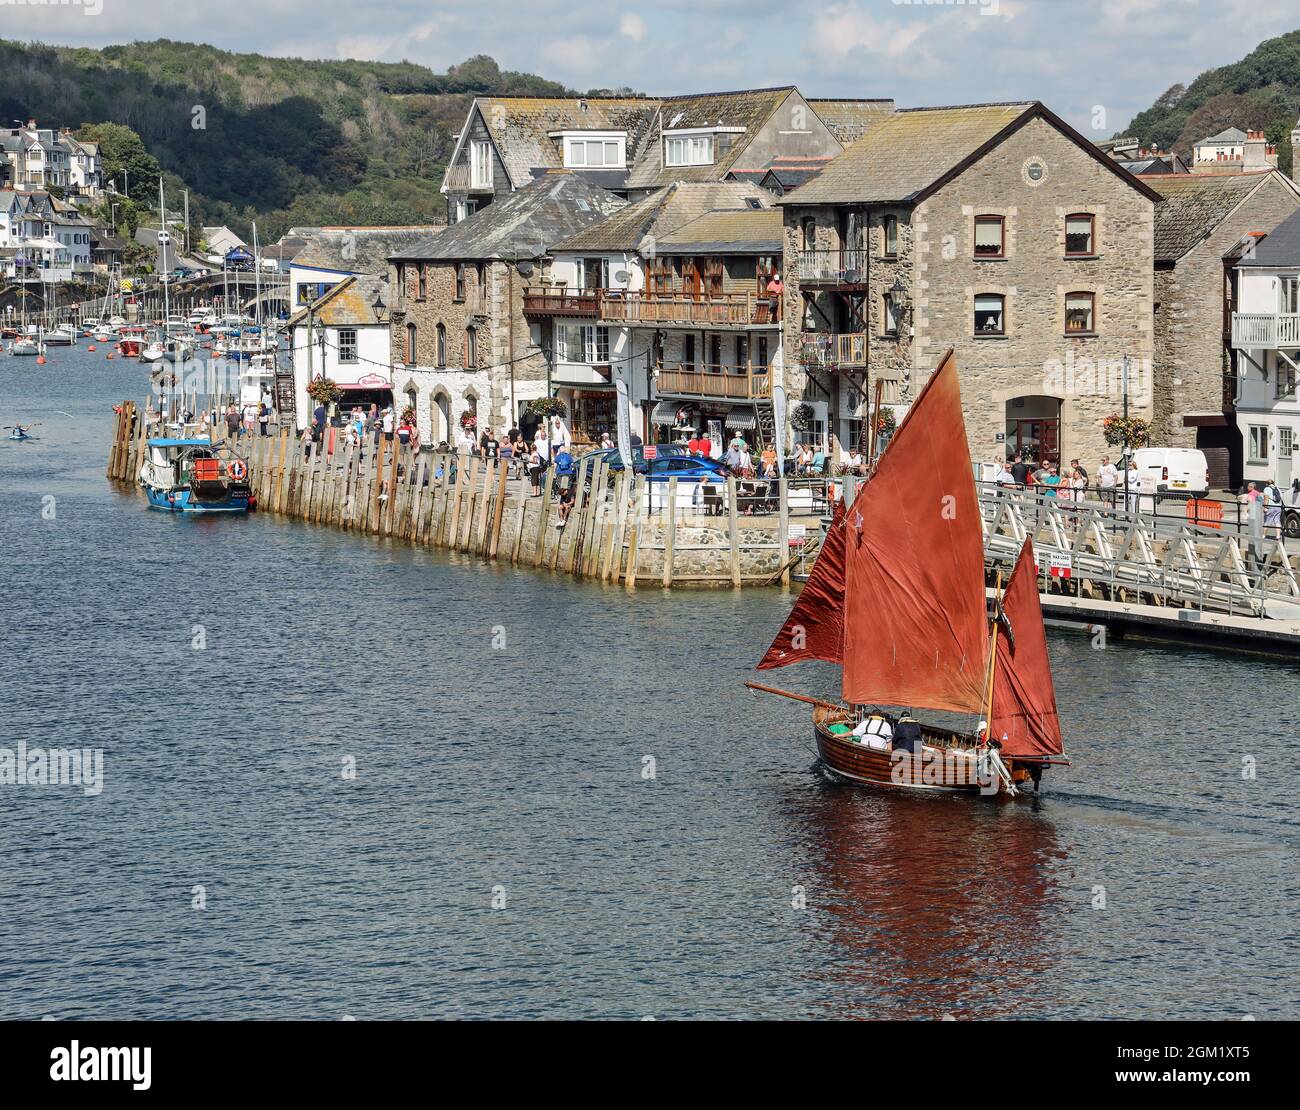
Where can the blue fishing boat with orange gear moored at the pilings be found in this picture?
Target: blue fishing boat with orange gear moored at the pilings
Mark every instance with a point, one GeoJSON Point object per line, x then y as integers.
{"type": "Point", "coordinates": [181, 475]}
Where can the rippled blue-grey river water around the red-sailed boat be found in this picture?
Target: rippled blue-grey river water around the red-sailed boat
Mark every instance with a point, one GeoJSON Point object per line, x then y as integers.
{"type": "Point", "coordinates": [565, 804]}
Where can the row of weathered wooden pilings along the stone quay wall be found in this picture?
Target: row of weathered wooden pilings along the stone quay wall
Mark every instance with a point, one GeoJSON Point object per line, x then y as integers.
{"type": "Point", "coordinates": [463, 504]}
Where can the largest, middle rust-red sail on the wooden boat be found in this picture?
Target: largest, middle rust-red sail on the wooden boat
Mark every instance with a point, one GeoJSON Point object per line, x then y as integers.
{"type": "Point", "coordinates": [916, 622]}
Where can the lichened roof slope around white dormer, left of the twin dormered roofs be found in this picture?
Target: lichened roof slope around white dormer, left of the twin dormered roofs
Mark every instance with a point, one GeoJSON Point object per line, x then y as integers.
{"type": "Point", "coordinates": [522, 127]}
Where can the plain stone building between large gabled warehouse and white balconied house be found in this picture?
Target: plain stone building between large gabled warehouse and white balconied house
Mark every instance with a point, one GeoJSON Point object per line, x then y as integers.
{"type": "Point", "coordinates": [1201, 223]}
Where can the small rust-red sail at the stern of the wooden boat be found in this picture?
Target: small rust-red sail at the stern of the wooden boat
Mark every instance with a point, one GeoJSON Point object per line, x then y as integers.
{"type": "Point", "coordinates": [1024, 697]}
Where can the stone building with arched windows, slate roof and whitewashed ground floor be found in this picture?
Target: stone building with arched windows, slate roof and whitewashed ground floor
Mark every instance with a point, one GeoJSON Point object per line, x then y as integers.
{"type": "Point", "coordinates": [460, 340]}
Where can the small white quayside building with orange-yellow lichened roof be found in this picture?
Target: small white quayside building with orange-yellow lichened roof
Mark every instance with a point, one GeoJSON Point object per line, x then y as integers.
{"type": "Point", "coordinates": [344, 336]}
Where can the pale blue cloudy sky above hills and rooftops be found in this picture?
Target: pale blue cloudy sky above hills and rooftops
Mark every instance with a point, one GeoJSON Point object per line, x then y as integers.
{"type": "Point", "coordinates": [1097, 63]}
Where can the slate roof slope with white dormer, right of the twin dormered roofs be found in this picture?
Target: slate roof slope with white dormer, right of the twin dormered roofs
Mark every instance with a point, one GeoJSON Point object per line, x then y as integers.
{"type": "Point", "coordinates": [749, 110]}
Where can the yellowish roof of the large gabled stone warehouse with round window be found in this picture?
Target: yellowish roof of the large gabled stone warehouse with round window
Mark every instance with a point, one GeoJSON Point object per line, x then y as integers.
{"type": "Point", "coordinates": [913, 153]}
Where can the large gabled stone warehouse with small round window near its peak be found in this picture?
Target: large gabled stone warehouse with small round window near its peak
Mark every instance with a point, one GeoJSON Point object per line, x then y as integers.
{"type": "Point", "coordinates": [994, 229]}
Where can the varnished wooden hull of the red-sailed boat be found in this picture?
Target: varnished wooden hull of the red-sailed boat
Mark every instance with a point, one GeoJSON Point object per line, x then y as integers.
{"type": "Point", "coordinates": [944, 766]}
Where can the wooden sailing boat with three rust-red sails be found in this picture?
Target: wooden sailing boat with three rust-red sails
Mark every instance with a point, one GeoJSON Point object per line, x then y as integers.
{"type": "Point", "coordinates": [898, 600]}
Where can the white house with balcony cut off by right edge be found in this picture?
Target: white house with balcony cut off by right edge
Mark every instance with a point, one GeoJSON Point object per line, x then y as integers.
{"type": "Point", "coordinates": [1267, 339]}
